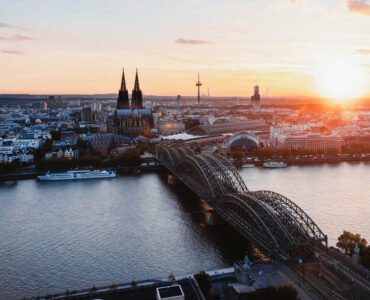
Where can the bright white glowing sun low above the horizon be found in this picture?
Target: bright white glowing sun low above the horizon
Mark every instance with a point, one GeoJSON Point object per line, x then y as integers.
{"type": "Point", "coordinates": [341, 79]}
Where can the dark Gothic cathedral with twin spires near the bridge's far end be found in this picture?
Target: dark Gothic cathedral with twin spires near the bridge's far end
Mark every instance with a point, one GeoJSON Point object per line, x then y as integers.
{"type": "Point", "coordinates": [132, 119]}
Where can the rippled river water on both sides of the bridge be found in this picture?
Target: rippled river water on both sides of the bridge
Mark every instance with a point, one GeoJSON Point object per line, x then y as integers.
{"type": "Point", "coordinates": [59, 235]}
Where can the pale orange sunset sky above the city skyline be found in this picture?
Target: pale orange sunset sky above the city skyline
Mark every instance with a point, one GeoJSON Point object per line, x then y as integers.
{"type": "Point", "coordinates": [287, 47]}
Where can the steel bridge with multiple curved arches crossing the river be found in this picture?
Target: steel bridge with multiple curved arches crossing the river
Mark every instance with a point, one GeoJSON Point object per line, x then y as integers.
{"type": "Point", "coordinates": [272, 222]}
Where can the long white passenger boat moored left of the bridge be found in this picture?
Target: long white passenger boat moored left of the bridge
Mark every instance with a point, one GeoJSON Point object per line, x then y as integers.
{"type": "Point", "coordinates": [77, 175]}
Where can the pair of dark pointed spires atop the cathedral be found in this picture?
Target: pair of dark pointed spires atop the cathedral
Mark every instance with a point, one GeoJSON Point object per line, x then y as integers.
{"type": "Point", "coordinates": [136, 99]}
